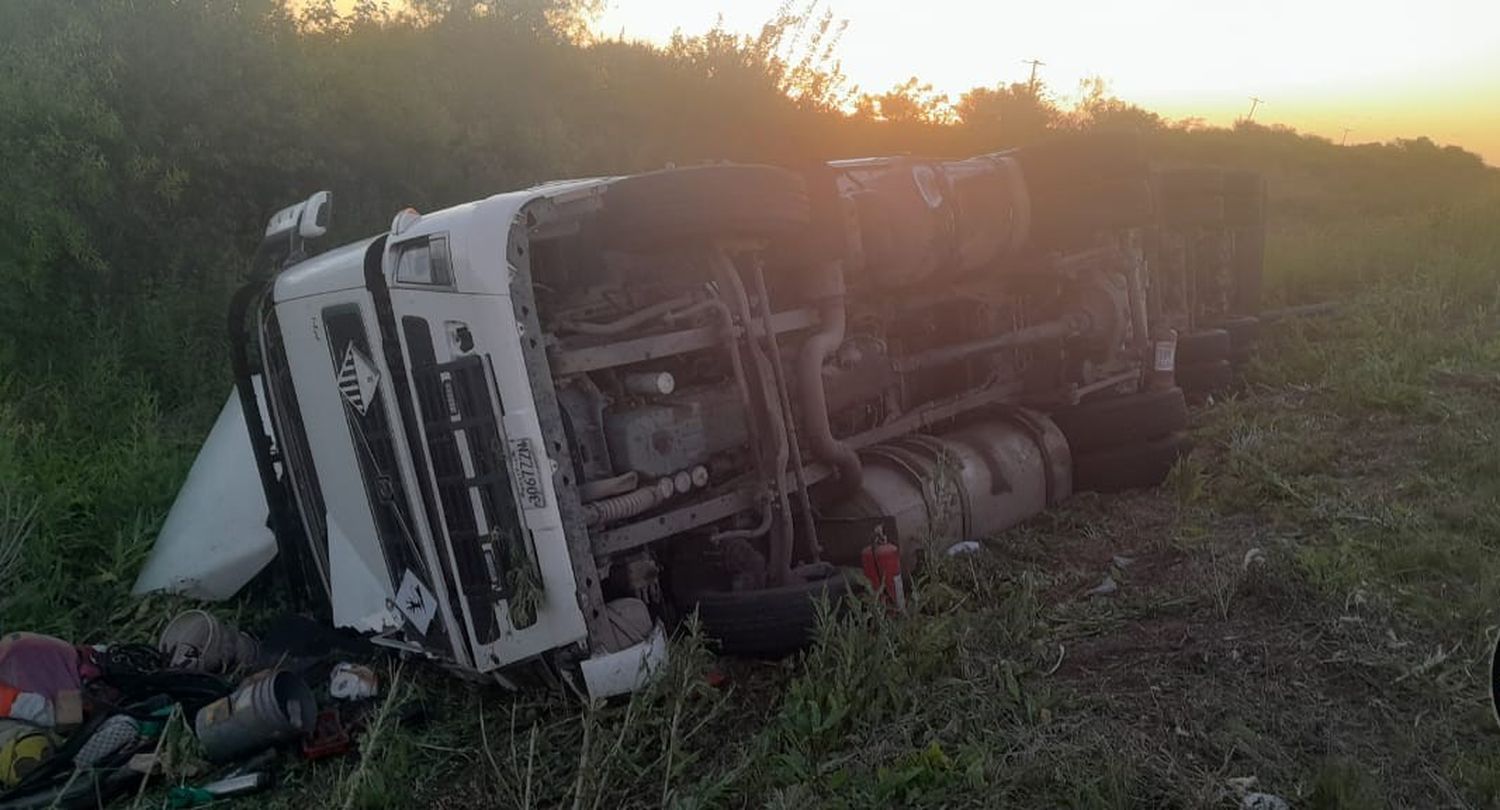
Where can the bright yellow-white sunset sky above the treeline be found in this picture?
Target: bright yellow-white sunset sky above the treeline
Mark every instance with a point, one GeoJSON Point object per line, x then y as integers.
{"type": "Point", "coordinates": [1381, 68]}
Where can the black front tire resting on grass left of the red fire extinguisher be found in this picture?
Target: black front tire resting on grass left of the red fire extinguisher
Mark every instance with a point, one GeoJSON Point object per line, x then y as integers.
{"type": "Point", "coordinates": [767, 623]}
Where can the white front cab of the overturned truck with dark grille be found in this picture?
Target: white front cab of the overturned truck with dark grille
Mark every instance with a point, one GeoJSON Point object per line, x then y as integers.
{"type": "Point", "coordinates": [401, 362]}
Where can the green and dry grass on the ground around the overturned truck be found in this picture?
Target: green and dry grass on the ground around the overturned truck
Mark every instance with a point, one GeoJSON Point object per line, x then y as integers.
{"type": "Point", "coordinates": [1345, 667]}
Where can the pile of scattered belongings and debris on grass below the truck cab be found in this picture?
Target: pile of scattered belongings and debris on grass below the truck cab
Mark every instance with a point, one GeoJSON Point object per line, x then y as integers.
{"type": "Point", "coordinates": [85, 725]}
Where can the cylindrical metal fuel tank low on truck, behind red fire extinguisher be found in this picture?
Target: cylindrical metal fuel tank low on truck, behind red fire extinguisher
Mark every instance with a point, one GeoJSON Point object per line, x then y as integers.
{"type": "Point", "coordinates": [962, 485]}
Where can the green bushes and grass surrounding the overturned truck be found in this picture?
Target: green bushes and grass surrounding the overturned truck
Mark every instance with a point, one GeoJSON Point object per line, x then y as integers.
{"type": "Point", "coordinates": [1307, 608]}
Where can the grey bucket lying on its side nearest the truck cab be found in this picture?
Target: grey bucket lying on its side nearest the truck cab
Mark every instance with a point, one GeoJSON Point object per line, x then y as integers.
{"type": "Point", "coordinates": [269, 709]}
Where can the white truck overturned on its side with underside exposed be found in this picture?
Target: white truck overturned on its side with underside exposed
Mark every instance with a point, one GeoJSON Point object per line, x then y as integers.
{"type": "Point", "coordinates": [530, 433]}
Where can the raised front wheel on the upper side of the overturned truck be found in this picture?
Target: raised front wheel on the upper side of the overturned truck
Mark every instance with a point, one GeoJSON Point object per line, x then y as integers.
{"type": "Point", "coordinates": [704, 203]}
